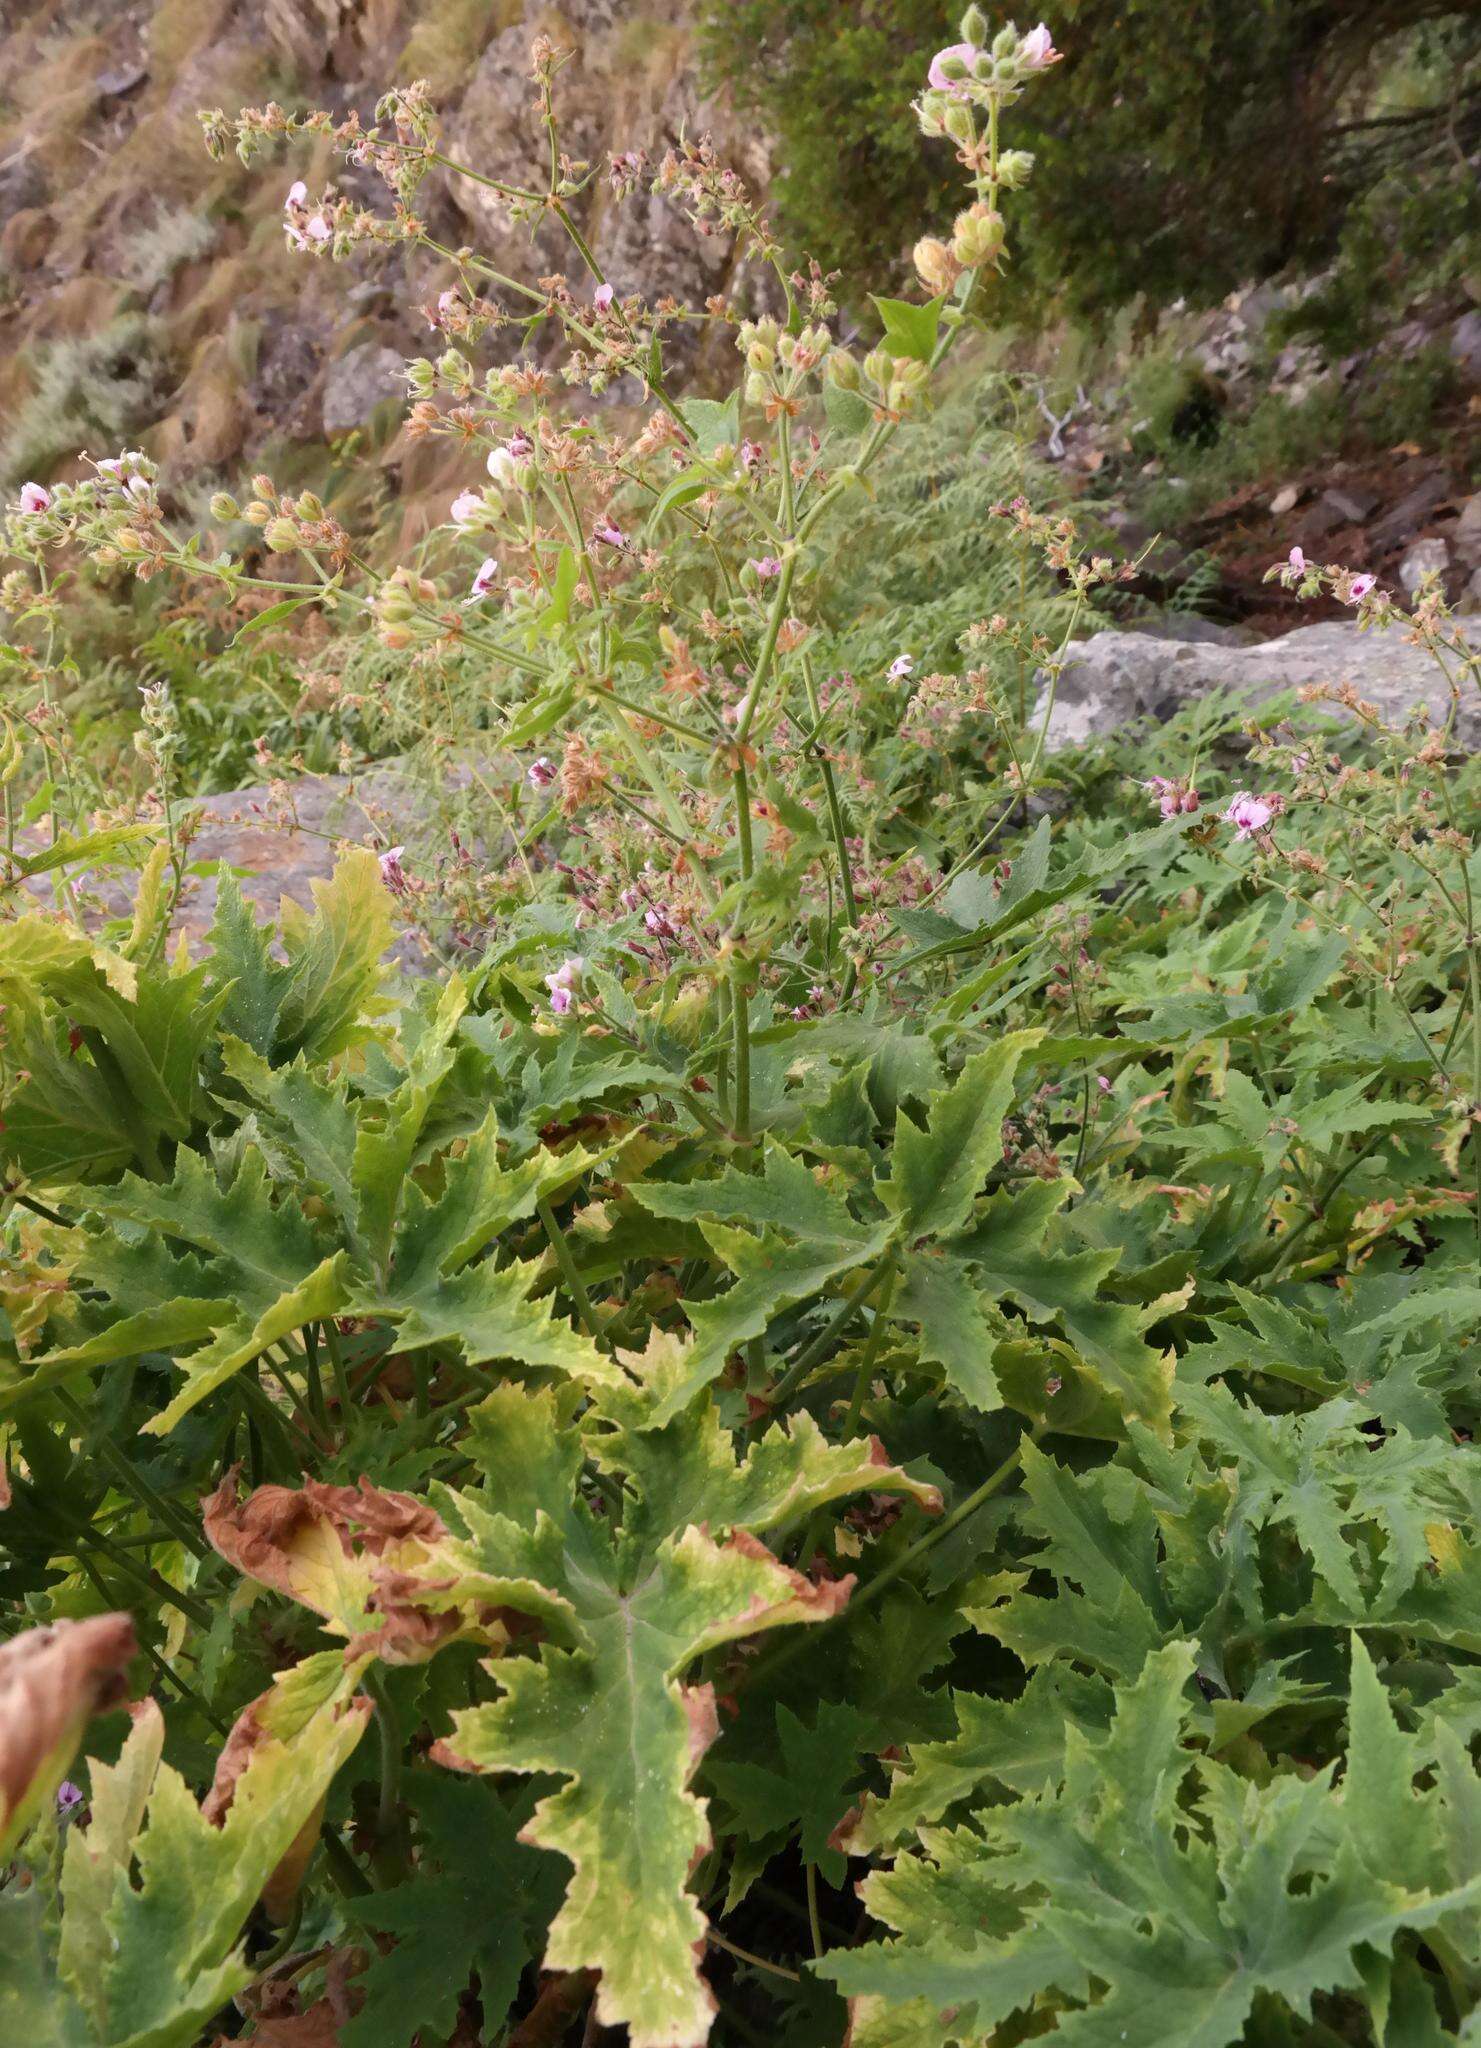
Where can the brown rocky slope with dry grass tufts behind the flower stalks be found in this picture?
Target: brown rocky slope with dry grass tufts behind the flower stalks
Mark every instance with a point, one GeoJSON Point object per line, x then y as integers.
{"type": "Point", "coordinates": [149, 296]}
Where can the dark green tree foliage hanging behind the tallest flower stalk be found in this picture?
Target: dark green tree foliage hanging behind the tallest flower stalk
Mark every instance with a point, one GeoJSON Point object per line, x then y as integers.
{"type": "Point", "coordinates": [1228, 140]}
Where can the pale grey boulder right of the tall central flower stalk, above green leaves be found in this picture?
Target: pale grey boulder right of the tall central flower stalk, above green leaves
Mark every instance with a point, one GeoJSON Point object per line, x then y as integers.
{"type": "Point", "coordinates": [1117, 679]}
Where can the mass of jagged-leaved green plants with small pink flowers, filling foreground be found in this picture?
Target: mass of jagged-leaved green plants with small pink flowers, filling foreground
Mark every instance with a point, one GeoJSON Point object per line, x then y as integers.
{"type": "Point", "coordinates": [857, 1418]}
